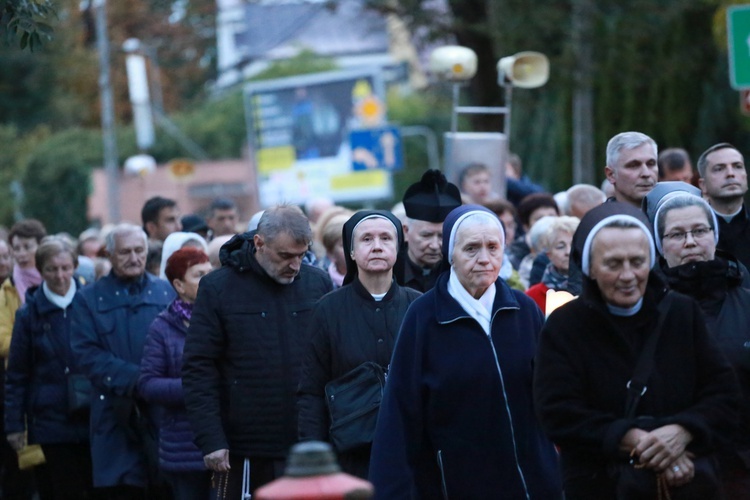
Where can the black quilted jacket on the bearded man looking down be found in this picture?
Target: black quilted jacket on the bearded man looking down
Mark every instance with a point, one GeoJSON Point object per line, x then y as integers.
{"type": "Point", "coordinates": [243, 354]}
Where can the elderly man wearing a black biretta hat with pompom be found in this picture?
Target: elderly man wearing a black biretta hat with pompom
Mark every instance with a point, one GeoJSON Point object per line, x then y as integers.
{"type": "Point", "coordinates": [427, 203]}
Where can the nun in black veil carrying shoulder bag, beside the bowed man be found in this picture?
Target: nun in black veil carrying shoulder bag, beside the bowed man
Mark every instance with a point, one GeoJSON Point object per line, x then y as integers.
{"type": "Point", "coordinates": [354, 324]}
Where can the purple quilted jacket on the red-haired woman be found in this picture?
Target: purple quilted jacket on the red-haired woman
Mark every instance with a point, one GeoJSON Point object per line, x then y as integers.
{"type": "Point", "coordinates": [160, 384]}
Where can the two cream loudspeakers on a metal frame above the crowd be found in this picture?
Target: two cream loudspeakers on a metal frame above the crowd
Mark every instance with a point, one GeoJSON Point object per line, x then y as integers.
{"type": "Point", "coordinates": [458, 65]}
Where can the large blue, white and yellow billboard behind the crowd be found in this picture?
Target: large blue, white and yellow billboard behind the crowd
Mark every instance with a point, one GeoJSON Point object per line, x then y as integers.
{"type": "Point", "coordinates": [298, 129]}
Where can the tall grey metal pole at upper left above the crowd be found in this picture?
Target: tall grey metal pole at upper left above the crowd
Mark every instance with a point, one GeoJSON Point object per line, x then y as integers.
{"type": "Point", "coordinates": [109, 139]}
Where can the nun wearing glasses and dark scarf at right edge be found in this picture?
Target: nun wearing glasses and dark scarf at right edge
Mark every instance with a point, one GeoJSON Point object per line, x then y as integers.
{"type": "Point", "coordinates": [686, 235]}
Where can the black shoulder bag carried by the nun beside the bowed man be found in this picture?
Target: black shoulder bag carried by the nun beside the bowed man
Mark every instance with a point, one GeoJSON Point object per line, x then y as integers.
{"type": "Point", "coordinates": [353, 403]}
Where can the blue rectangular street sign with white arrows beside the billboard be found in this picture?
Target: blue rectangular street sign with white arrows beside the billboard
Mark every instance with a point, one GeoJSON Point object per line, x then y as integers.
{"type": "Point", "coordinates": [377, 148]}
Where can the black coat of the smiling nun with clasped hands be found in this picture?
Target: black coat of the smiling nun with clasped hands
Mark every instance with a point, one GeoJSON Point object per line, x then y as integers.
{"type": "Point", "coordinates": [585, 361]}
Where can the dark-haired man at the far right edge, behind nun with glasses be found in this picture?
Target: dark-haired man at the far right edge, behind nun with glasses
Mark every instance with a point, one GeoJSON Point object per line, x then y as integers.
{"type": "Point", "coordinates": [723, 180]}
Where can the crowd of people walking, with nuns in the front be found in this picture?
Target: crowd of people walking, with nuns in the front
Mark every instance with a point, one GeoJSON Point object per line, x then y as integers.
{"type": "Point", "coordinates": [183, 357]}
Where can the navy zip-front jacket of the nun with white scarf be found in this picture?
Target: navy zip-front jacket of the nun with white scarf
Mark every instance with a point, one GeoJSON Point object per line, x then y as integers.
{"type": "Point", "coordinates": [457, 420]}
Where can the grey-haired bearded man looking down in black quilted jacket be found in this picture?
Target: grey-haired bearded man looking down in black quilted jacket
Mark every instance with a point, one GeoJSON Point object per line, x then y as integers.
{"type": "Point", "coordinates": [243, 351]}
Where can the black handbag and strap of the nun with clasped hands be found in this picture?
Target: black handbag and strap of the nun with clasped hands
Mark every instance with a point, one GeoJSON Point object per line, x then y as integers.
{"type": "Point", "coordinates": [636, 482]}
